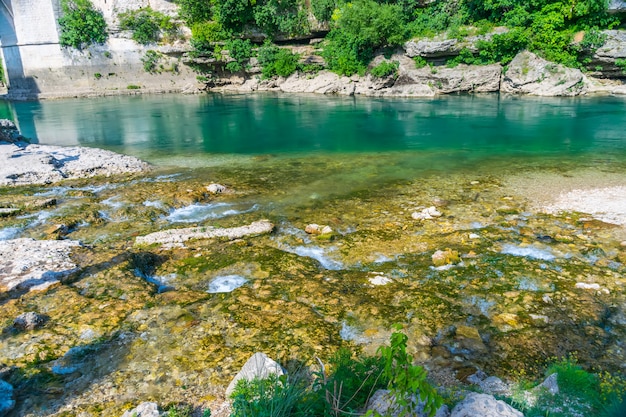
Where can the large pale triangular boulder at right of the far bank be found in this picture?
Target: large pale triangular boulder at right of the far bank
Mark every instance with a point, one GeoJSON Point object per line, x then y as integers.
{"type": "Point", "coordinates": [530, 74]}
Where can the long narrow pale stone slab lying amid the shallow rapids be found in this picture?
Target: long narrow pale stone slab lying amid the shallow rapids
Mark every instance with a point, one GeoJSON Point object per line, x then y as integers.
{"type": "Point", "coordinates": [179, 236]}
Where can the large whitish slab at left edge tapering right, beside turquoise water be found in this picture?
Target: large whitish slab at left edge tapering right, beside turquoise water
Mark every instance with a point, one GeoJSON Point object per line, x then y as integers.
{"type": "Point", "coordinates": [24, 164]}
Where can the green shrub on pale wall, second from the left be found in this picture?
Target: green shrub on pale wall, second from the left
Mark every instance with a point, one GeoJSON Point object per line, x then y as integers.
{"type": "Point", "coordinates": [147, 25]}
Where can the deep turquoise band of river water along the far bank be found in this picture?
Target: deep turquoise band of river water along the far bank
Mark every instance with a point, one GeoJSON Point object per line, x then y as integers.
{"type": "Point", "coordinates": [472, 127]}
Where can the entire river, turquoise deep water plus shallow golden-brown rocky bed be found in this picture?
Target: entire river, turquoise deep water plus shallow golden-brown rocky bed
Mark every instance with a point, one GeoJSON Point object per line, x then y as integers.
{"type": "Point", "coordinates": [526, 205]}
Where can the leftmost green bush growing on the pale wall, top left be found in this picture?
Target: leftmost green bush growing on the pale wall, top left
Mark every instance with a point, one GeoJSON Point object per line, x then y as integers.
{"type": "Point", "coordinates": [81, 24]}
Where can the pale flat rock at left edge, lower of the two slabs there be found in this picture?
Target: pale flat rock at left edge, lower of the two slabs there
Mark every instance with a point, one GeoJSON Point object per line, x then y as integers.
{"type": "Point", "coordinates": [30, 264]}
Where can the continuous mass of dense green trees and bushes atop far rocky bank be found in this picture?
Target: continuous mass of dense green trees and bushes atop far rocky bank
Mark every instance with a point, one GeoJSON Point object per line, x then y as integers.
{"type": "Point", "coordinates": [361, 28]}
